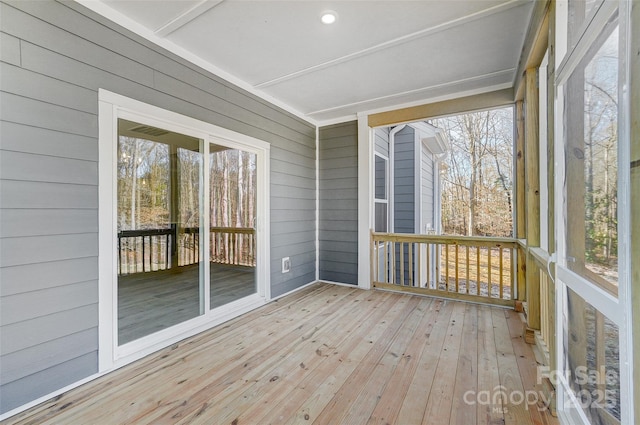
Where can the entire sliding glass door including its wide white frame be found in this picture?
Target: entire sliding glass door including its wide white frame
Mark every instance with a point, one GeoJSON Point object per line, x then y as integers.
{"type": "Point", "coordinates": [184, 227]}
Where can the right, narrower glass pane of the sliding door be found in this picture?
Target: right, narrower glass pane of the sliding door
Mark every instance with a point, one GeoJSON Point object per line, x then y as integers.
{"type": "Point", "coordinates": [232, 239]}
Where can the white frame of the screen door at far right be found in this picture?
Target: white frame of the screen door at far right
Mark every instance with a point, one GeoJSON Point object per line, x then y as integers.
{"type": "Point", "coordinates": [617, 309]}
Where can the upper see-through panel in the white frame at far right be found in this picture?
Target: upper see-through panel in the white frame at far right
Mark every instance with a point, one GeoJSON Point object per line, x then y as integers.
{"type": "Point", "coordinates": [592, 164]}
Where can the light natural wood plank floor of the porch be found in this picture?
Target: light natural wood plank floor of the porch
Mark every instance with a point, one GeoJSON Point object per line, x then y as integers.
{"type": "Point", "coordinates": [324, 355]}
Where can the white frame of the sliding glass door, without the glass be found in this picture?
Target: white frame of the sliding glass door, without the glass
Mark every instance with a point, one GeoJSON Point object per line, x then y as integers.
{"type": "Point", "coordinates": [113, 106]}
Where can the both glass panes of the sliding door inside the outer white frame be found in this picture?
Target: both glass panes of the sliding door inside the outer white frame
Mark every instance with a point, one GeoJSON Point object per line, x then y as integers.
{"type": "Point", "coordinates": [175, 260]}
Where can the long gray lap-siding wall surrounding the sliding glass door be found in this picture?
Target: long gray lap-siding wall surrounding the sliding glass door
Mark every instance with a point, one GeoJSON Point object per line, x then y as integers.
{"type": "Point", "coordinates": [53, 59]}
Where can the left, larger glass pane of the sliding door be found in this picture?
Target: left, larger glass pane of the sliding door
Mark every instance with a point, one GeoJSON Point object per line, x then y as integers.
{"type": "Point", "coordinates": [158, 208]}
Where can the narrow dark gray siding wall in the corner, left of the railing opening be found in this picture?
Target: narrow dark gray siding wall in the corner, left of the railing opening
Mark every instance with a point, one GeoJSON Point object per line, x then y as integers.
{"type": "Point", "coordinates": [338, 239]}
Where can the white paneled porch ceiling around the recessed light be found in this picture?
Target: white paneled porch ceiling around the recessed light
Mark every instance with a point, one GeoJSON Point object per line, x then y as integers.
{"type": "Point", "coordinates": [379, 55]}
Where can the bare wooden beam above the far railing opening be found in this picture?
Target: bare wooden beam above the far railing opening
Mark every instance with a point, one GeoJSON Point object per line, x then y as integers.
{"type": "Point", "coordinates": [447, 107]}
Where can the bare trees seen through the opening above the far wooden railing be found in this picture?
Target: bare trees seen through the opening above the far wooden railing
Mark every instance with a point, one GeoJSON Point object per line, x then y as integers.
{"type": "Point", "coordinates": [477, 182]}
